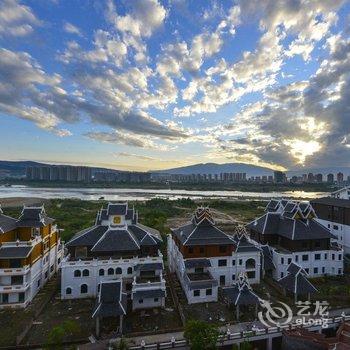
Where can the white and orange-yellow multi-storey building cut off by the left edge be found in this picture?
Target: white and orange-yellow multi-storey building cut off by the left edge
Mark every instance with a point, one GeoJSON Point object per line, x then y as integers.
{"type": "Point", "coordinates": [30, 254]}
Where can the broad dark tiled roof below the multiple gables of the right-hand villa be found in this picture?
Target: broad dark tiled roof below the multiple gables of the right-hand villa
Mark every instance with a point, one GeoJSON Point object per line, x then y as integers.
{"type": "Point", "coordinates": [295, 229]}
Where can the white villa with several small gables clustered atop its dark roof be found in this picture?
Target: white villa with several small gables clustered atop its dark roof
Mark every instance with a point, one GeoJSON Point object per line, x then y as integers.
{"type": "Point", "coordinates": [289, 232]}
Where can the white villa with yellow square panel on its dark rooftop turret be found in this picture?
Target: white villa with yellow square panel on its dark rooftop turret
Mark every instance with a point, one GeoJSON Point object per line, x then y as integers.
{"type": "Point", "coordinates": [116, 248]}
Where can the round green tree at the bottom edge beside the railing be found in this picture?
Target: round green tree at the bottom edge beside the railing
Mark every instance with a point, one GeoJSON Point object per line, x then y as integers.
{"type": "Point", "coordinates": [201, 335]}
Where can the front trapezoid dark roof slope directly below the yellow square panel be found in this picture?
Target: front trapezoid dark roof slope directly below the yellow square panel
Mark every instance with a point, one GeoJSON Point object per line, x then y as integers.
{"type": "Point", "coordinates": [116, 240]}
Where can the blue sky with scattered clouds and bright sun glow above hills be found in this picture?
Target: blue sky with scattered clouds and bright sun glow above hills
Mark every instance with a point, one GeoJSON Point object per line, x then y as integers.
{"type": "Point", "coordinates": [151, 84]}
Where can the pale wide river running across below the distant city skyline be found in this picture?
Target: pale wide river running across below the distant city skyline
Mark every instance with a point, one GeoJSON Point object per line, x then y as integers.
{"type": "Point", "coordinates": [125, 194]}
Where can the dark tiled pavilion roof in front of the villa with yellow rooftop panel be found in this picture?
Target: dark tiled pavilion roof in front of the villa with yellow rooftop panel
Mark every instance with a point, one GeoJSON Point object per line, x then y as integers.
{"type": "Point", "coordinates": [111, 300]}
